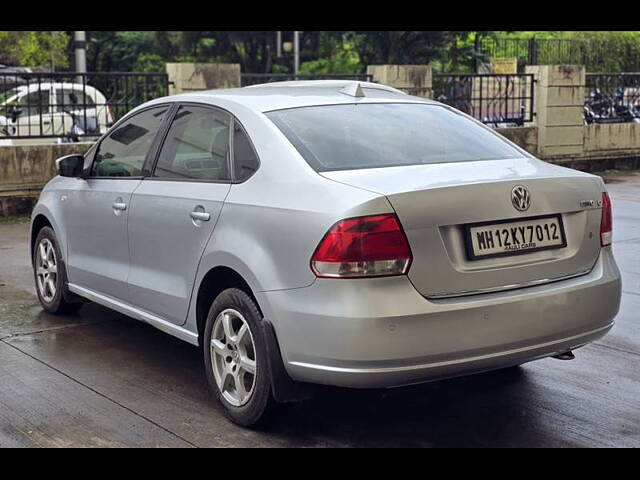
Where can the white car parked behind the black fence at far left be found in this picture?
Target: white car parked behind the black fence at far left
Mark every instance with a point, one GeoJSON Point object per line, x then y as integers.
{"type": "Point", "coordinates": [49, 109]}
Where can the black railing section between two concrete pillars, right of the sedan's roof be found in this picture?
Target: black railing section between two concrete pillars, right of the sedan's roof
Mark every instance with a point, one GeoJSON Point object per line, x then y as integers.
{"type": "Point", "coordinates": [499, 100]}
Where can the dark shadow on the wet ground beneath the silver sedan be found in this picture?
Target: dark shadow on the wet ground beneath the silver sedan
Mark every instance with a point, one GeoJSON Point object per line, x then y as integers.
{"type": "Point", "coordinates": [491, 408]}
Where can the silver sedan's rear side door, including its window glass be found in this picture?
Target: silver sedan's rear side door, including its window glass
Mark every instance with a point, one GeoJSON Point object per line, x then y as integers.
{"type": "Point", "coordinates": [174, 211]}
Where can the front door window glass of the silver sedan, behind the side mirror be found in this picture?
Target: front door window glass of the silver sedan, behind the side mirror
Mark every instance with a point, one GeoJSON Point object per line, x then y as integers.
{"type": "Point", "coordinates": [122, 152]}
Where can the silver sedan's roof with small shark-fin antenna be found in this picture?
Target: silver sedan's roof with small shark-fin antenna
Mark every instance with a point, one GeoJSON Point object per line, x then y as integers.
{"type": "Point", "coordinates": [292, 94]}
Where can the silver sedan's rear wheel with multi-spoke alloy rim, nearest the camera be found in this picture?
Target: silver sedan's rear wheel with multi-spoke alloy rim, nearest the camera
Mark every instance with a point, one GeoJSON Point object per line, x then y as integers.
{"type": "Point", "coordinates": [239, 348]}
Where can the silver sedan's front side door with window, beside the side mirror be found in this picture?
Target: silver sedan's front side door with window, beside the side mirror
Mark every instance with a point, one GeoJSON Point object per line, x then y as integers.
{"type": "Point", "coordinates": [98, 207]}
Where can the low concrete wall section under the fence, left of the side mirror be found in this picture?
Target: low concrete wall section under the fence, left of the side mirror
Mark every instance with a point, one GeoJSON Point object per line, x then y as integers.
{"type": "Point", "coordinates": [25, 169]}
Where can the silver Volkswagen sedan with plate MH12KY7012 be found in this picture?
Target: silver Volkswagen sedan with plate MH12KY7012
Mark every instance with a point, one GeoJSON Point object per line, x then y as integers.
{"type": "Point", "coordinates": [328, 232]}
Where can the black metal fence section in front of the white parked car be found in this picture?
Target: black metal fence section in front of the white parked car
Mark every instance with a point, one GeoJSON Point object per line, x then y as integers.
{"type": "Point", "coordinates": [71, 105]}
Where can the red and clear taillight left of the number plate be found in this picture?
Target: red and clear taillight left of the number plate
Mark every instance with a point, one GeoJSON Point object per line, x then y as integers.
{"type": "Point", "coordinates": [371, 246]}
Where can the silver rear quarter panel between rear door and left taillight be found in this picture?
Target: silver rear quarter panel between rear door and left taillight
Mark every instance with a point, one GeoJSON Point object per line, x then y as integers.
{"type": "Point", "coordinates": [271, 224]}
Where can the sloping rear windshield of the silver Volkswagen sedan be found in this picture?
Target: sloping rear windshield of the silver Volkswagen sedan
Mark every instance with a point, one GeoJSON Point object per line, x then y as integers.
{"type": "Point", "coordinates": [344, 137]}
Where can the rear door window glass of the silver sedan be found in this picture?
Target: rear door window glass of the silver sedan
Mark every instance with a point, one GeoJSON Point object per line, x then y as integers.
{"type": "Point", "coordinates": [196, 147]}
